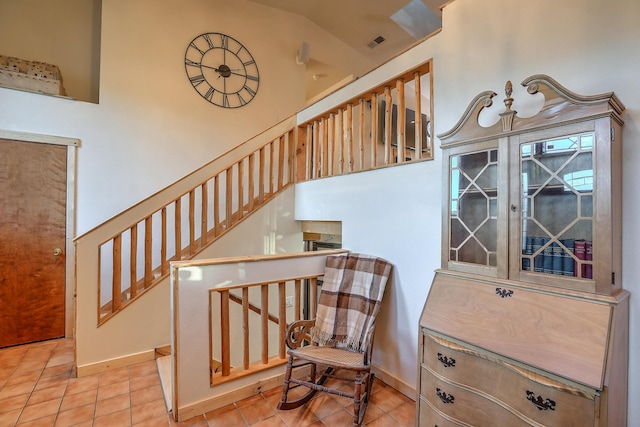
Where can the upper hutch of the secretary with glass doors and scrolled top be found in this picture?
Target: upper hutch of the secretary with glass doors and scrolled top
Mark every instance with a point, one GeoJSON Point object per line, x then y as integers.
{"type": "Point", "coordinates": [537, 199]}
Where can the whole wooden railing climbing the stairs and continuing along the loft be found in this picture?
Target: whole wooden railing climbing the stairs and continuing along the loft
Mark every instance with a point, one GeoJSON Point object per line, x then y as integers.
{"type": "Point", "coordinates": [127, 256]}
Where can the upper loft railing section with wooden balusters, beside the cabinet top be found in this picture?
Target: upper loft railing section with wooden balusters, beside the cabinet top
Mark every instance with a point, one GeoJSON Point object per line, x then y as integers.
{"type": "Point", "coordinates": [389, 124]}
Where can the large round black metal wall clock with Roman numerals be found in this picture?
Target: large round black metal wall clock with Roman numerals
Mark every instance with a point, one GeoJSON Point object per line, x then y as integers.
{"type": "Point", "coordinates": [222, 70]}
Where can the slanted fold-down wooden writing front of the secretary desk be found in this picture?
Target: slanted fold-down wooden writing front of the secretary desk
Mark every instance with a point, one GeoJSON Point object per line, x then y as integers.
{"type": "Point", "coordinates": [555, 333]}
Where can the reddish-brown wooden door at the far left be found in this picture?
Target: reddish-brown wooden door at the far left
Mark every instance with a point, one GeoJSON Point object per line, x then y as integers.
{"type": "Point", "coordinates": [32, 241]}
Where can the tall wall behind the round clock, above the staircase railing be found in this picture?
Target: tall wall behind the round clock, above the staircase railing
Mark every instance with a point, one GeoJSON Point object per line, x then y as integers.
{"type": "Point", "coordinates": [151, 127]}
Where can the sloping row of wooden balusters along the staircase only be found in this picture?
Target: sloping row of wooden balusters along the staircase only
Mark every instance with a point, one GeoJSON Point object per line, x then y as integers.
{"type": "Point", "coordinates": [137, 258]}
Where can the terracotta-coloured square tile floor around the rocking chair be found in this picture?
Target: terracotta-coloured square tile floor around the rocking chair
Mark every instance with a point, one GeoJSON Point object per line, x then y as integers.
{"type": "Point", "coordinates": [37, 388]}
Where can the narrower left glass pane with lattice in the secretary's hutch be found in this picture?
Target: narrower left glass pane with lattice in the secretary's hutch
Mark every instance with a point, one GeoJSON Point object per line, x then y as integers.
{"type": "Point", "coordinates": [473, 208]}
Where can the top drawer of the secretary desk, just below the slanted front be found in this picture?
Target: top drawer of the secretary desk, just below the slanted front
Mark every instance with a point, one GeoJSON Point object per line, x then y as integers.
{"type": "Point", "coordinates": [538, 398]}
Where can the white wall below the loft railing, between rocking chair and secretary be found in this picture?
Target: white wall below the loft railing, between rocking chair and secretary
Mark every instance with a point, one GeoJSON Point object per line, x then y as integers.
{"type": "Point", "coordinates": [392, 213]}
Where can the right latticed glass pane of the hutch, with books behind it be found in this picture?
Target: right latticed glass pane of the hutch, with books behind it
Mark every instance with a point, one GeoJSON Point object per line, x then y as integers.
{"type": "Point", "coordinates": [557, 206]}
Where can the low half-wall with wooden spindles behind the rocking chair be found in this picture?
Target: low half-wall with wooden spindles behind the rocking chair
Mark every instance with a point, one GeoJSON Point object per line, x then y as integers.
{"type": "Point", "coordinates": [224, 317]}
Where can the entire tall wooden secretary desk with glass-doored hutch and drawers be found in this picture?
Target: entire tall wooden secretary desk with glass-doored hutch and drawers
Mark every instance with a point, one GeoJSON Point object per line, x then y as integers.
{"type": "Point", "coordinates": [527, 323]}
